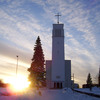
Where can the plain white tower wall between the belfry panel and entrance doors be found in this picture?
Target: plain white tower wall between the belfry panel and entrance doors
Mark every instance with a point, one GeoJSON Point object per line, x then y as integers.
{"type": "Point", "coordinates": [58, 64]}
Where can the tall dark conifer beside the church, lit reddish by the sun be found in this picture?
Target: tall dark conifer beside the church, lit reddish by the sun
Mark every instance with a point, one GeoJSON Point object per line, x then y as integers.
{"type": "Point", "coordinates": [37, 70]}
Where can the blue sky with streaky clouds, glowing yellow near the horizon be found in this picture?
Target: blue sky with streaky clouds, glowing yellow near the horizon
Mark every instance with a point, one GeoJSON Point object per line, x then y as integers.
{"type": "Point", "coordinates": [22, 21]}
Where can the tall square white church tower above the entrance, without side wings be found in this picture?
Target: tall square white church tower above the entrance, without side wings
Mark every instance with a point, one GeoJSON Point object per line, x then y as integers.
{"type": "Point", "coordinates": [58, 61]}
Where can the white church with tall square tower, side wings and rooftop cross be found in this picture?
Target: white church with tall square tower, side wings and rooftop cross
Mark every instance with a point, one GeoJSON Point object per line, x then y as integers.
{"type": "Point", "coordinates": [58, 70]}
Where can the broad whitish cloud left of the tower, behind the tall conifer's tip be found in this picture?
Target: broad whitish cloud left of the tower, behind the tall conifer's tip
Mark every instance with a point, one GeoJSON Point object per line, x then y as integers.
{"type": "Point", "coordinates": [22, 29]}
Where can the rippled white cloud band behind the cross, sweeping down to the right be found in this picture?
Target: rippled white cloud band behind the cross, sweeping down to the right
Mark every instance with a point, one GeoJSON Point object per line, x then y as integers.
{"type": "Point", "coordinates": [74, 14]}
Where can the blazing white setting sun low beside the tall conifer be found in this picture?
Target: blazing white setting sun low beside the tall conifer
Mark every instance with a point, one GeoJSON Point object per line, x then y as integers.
{"type": "Point", "coordinates": [19, 83]}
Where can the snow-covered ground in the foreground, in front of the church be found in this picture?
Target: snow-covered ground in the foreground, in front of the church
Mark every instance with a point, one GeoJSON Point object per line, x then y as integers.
{"type": "Point", "coordinates": [44, 94]}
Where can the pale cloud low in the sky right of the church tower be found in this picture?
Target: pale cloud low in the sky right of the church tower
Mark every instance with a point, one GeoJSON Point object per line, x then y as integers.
{"type": "Point", "coordinates": [81, 59]}
